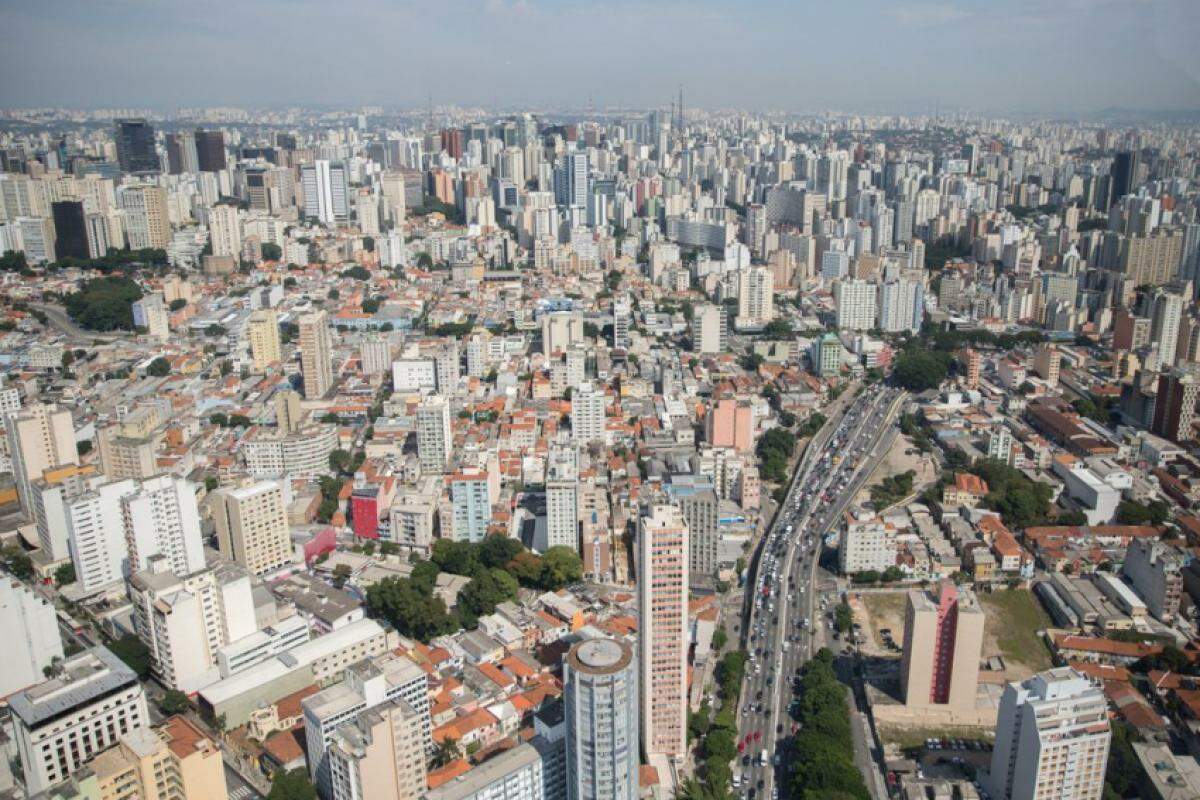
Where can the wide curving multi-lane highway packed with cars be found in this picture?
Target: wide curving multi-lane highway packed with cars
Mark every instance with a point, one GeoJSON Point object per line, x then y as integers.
{"type": "Point", "coordinates": [790, 591]}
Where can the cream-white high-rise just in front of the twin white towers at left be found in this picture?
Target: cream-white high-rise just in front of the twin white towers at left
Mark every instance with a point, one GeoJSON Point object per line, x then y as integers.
{"type": "Point", "coordinates": [184, 621]}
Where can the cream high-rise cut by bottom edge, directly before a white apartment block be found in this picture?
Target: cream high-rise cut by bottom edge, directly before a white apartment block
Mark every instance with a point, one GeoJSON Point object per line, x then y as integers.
{"type": "Point", "coordinates": [379, 755]}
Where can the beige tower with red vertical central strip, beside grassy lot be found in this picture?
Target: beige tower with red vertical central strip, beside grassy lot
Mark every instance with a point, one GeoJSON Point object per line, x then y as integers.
{"type": "Point", "coordinates": [943, 645]}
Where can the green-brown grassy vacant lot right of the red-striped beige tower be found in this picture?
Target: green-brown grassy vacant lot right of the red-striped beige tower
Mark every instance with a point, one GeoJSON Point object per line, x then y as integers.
{"type": "Point", "coordinates": [1015, 618]}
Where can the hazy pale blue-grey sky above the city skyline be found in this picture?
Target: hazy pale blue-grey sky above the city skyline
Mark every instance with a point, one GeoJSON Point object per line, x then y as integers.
{"type": "Point", "coordinates": [891, 56]}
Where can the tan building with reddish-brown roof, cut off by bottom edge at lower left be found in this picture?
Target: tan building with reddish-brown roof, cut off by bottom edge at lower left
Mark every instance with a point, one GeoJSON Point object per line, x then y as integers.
{"type": "Point", "coordinates": [173, 762]}
